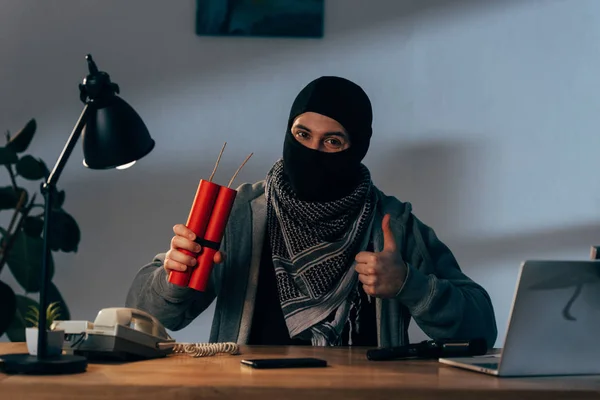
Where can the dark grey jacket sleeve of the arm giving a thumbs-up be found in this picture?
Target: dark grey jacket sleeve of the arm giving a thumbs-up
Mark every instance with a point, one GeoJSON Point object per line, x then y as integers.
{"type": "Point", "coordinates": [443, 301]}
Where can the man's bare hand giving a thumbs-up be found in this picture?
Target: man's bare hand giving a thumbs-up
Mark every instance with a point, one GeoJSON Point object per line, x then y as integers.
{"type": "Point", "coordinates": [382, 273]}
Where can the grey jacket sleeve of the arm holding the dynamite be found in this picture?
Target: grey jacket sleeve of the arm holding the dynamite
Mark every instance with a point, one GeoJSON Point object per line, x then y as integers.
{"type": "Point", "coordinates": [174, 306]}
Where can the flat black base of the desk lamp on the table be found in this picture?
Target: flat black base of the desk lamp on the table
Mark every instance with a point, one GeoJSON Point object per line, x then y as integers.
{"type": "Point", "coordinates": [32, 365]}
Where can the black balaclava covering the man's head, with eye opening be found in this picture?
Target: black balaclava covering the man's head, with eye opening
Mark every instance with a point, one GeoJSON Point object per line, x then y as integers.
{"type": "Point", "coordinates": [319, 176]}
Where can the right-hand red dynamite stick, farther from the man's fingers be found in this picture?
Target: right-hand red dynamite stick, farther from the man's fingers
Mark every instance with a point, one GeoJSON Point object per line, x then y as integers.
{"type": "Point", "coordinates": [213, 235]}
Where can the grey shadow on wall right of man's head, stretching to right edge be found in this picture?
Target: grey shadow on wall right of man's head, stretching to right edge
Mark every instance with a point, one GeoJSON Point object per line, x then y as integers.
{"type": "Point", "coordinates": [441, 179]}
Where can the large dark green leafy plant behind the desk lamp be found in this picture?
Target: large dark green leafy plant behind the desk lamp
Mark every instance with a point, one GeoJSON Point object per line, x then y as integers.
{"type": "Point", "coordinates": [21, 238]}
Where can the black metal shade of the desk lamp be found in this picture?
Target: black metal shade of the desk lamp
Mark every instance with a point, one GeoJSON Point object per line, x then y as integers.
{"type": "Point", "coordinates": [114, 135]}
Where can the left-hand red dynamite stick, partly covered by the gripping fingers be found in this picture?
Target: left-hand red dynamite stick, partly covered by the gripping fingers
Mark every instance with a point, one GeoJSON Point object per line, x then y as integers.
{"type": "Point", "coordinates": [197, 221]}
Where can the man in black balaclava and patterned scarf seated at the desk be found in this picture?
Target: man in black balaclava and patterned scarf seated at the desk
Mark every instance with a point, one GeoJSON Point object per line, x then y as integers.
{"type": "Point", "coordinates": [315, 254]}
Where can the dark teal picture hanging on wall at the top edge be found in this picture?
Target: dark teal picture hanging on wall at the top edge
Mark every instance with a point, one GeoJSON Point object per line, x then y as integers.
{"type": "Point", "coordinates": [266, 18]}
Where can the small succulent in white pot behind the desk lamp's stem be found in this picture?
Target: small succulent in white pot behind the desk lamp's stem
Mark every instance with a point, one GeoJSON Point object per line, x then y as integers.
{"type": "Point", "coordinates": [55, 337]}
